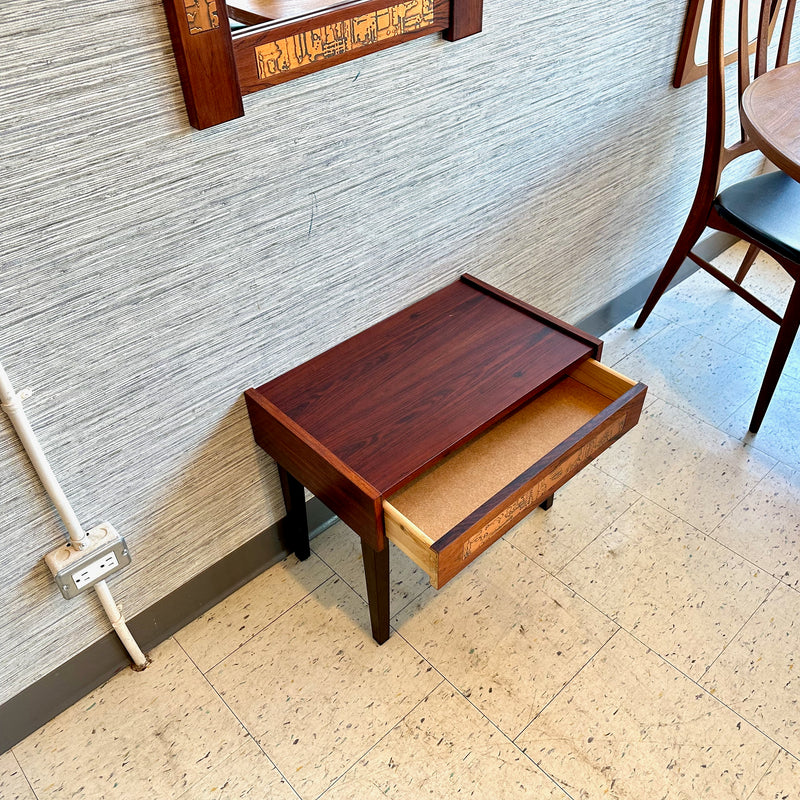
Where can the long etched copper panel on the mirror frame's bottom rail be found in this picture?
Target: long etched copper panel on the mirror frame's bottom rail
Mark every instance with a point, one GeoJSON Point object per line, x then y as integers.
{"type": "Point", "coordinates": [293, 52]}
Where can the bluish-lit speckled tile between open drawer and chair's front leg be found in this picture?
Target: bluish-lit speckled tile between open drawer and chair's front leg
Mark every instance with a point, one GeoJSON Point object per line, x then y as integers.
{"type": "Point", "coordinates": [694, 373]}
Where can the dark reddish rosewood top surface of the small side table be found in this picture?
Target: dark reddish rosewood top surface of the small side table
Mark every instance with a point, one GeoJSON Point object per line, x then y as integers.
{"type": "Point", "coordinates": [395, 398]}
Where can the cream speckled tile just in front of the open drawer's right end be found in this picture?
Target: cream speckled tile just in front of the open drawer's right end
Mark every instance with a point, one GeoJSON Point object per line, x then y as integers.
{"type": "Point", "coordinates": [685, 465]}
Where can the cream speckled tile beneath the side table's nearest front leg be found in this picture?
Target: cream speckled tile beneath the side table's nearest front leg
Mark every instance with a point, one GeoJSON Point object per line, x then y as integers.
{"type": "Point", "coordinates": [316, 691]}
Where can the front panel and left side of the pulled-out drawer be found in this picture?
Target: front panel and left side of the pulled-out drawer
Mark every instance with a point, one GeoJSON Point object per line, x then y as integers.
{"type": "Point", "coordinates": [446, 557]}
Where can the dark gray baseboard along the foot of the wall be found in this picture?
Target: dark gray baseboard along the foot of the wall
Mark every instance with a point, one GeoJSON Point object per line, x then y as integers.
{"type": "Point", "coordinates": [41, 701]}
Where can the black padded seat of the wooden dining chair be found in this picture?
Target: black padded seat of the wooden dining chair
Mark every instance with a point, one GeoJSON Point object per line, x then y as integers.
{"type": "Point", "coordinates": [767, 208]}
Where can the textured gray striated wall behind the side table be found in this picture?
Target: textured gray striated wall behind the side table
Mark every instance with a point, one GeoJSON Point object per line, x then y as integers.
{"type": "Point", "coordinates": [150, 272]}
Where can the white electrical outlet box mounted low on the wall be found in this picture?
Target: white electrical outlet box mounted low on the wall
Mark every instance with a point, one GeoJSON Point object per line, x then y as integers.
{"type": "Point", "coordinates": [104, 553]}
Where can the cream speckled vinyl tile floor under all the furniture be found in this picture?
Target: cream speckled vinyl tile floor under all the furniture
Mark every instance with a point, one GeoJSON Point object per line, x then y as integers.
{"type": "Point", "coordinates": [639, 640]}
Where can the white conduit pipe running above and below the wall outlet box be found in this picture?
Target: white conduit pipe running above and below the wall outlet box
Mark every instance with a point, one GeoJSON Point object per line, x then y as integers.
{"type": "Point", "coordinates": [11, 403]}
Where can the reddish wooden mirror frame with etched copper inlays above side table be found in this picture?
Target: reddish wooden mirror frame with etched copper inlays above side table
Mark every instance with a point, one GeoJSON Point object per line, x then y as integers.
{"type": "Point", "coordinates": [217, 67]}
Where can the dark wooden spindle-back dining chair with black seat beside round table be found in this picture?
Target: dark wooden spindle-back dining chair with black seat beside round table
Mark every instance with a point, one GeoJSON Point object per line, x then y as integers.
{"type": "Point", "coordinates": [764, 210]}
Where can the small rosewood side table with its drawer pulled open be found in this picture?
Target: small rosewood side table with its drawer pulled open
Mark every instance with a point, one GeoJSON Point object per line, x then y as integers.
{"type": "Point", "coordinates": [396, 412]}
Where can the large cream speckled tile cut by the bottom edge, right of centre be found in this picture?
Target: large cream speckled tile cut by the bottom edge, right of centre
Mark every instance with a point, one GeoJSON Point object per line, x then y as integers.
{"type": "Point", "coordinates": [632, 727]}
